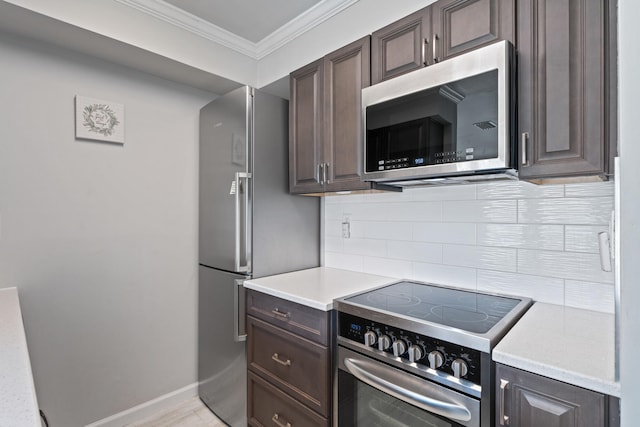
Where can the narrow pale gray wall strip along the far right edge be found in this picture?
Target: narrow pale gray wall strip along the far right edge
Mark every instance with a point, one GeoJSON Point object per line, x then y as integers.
{"type": "Point", "coordinates": [629, 94]}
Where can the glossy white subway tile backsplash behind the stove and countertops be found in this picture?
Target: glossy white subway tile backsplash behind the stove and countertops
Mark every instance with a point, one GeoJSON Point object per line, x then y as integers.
{"type": "Point", "coordinates": [510, 237]}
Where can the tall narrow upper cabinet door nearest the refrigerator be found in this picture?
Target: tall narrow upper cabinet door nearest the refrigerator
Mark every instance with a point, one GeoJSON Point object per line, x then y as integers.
{"type": "Point", "coordinates": [306, 129]}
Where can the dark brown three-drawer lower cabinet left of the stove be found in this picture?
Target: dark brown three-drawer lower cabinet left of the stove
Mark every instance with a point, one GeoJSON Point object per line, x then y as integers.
{"type": "Point", "coordinates": [289, 348]}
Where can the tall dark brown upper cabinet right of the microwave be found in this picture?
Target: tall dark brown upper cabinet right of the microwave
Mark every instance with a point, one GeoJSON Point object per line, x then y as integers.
{"type": "Point", "coordinates": [566, 88]}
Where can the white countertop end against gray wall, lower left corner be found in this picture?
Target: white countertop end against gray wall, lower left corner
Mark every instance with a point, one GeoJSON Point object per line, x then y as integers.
{"type": "Point", "coordinates": [18, 403]}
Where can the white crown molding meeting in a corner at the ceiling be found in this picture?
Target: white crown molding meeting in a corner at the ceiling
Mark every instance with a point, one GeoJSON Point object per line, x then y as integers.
{"type": "Point", "coordinates": [292, 29]}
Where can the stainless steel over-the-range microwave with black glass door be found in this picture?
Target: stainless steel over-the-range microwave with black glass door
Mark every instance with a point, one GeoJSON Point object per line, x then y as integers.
{"type": "Point", "coordinates": [451, 121]}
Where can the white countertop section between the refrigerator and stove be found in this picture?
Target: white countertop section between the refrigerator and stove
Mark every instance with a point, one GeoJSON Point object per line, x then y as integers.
{"type": "Point", "coordinates": [317, 287]}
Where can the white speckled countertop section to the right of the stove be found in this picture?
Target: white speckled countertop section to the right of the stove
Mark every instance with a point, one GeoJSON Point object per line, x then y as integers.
{"type": "Point", "coordinates": [567, 344]}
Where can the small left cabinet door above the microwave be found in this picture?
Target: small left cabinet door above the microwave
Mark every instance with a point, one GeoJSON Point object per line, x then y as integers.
{"type": "Point", "coordinates": [401, 47]}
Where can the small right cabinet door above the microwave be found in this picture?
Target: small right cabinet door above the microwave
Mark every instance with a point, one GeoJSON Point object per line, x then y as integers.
{"type": "Point", "coordinates": [459, 26]}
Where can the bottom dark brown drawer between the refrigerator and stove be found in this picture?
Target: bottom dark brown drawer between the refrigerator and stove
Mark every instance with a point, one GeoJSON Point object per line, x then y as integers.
{"type": "Point", "coordinates": [268, 406]}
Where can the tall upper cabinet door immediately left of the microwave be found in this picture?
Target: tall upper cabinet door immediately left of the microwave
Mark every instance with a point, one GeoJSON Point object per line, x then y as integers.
{"type": "Point", "coordinates": [346, 74]}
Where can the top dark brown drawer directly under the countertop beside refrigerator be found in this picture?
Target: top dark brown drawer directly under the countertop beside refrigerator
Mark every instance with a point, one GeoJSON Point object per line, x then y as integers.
{"type": "Point", "coordinates": [297, 318]}
